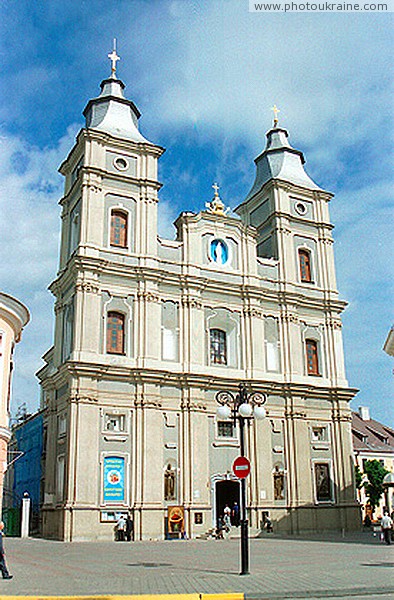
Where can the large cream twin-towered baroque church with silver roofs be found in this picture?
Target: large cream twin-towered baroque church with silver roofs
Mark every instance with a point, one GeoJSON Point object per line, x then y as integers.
{"type": "Point", "coordinates": [148, 330]}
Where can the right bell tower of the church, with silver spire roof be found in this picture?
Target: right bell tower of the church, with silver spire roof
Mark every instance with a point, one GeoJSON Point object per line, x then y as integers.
{"type": "Point", "coordinates": [290, 213]}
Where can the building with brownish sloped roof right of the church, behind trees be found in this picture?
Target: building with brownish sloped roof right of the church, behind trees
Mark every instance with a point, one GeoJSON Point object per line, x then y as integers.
{"type": "Point", "coordinates": [372, 441]}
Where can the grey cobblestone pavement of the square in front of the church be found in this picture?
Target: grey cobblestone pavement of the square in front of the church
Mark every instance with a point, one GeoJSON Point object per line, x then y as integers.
{"type": "Point", "coordinates": [353, 567]}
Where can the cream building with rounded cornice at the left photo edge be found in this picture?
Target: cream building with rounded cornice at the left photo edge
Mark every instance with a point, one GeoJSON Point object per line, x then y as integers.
{"type": "Point", "coordinates": [14, 316]}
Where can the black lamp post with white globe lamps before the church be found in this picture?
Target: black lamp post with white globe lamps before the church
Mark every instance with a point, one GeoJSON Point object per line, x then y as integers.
{"type": "Point", "coordinates": [242, 407]}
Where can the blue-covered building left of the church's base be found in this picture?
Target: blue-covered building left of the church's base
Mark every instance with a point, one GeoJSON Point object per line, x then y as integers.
{"type": "Point", "coordinates": [24, 474]}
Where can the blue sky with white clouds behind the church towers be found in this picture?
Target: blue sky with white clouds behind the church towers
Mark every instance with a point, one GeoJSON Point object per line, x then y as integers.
{"type": "Point", "coordinates": [205, 75]}
